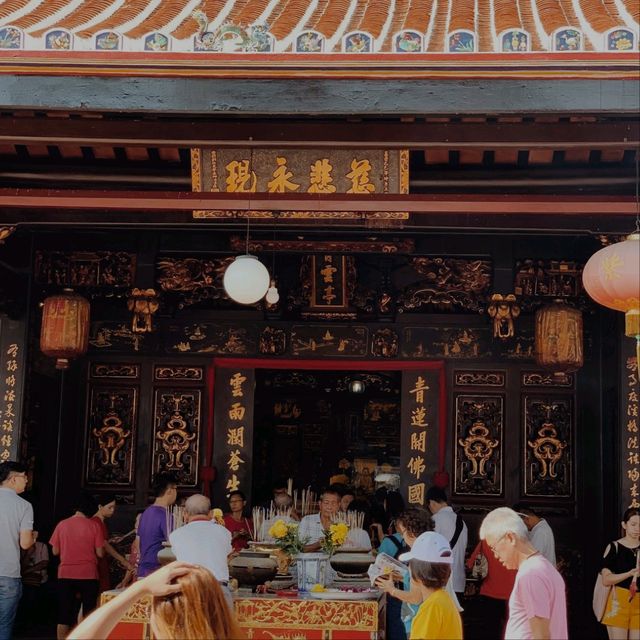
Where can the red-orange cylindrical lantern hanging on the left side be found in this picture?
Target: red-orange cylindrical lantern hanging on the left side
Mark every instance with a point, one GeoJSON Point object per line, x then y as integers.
{"type": "Point", "coordinates": [65, 327]}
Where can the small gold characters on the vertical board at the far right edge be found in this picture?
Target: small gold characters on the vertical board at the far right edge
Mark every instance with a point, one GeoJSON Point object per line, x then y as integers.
{"type": "Point", "coordinates": [631, 466]}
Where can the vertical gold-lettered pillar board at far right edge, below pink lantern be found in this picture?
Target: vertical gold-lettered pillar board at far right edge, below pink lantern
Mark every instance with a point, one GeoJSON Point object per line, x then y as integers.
{"type": "Point", "coordinates": [629, 427]}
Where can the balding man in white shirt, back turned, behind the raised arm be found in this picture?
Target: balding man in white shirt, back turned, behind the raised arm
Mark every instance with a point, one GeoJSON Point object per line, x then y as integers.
{"type": "Point", "coordinates": [203, 541]}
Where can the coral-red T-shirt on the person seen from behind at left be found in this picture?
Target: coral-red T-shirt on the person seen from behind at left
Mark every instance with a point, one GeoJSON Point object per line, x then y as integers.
{"type": "Point", "coordinates": [77, 539]}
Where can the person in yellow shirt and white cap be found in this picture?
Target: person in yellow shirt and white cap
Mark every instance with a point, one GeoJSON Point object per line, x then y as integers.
{"type": "Point", "coordinates": [430, 561]}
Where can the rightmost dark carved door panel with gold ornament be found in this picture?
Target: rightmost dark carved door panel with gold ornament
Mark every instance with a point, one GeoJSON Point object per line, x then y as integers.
{"type": "Point", "coordinates": [548, 445]}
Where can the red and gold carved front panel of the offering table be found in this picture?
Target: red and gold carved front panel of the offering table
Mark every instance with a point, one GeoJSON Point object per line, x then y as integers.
{"type": "Point", "coordinates": [306, 614]}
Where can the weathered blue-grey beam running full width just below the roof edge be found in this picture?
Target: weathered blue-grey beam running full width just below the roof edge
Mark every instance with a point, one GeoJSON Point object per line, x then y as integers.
{"type": "Point", "coordinates": [321, 97]}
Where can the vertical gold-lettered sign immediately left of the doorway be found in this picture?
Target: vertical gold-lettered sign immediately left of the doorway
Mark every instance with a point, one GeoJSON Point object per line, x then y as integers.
{"type": "Point", "coordinates": [233, 431]}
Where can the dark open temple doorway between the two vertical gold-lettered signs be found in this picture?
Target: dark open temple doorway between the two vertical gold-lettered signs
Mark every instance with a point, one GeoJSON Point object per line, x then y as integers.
{"type": "Point", "coordinates": [319, 427]}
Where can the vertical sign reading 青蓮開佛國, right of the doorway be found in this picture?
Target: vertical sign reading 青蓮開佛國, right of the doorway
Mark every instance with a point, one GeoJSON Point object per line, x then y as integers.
{"type": "Point", "coordinates": [420, 435]}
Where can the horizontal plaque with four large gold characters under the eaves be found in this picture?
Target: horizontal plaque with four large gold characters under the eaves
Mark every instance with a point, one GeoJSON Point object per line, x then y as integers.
{"type": "Point", "coordinates": [300, 171]}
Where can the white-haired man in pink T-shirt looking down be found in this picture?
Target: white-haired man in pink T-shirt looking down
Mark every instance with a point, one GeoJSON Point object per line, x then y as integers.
{"type": "Point", "coordinates": [537, 606]}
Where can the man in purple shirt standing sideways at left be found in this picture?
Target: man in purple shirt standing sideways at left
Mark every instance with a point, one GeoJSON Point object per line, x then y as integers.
{"type": "Point", "coordinates": [152, 530]}
